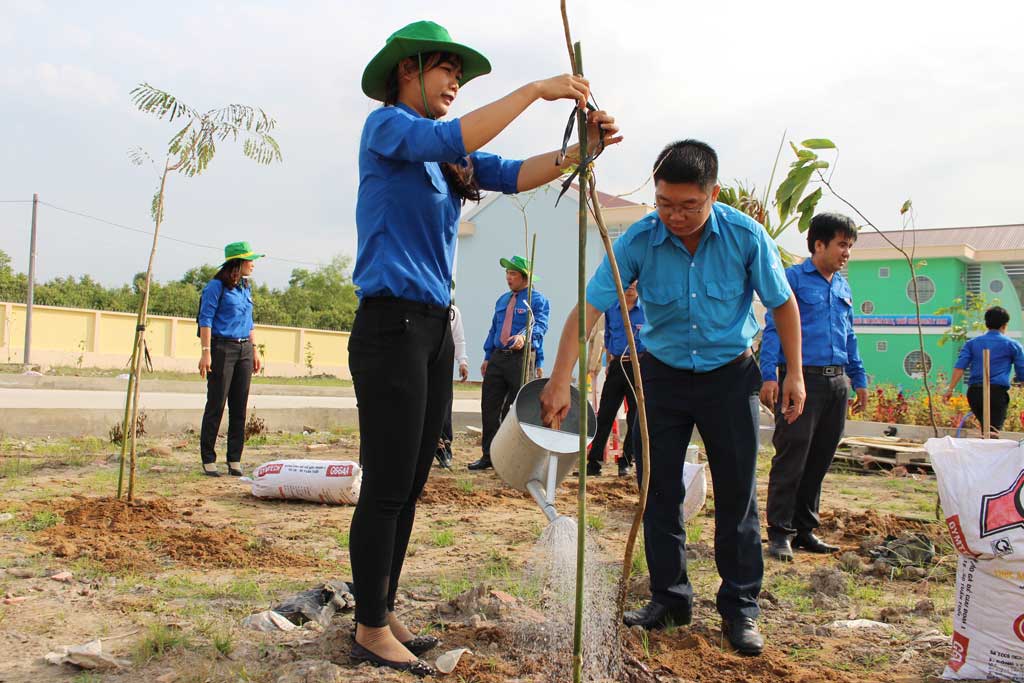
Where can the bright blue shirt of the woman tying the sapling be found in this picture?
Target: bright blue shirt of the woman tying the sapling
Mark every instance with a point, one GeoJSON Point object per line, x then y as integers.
{"type": "Point", "coordinates": [406, 216]}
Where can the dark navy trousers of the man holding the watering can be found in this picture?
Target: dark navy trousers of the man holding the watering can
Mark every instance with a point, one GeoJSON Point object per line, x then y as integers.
{"type": "Point", "coordinates": [723, 405]}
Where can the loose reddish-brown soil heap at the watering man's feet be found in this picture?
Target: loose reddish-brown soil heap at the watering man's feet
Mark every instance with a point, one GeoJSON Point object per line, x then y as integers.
{"type": "Point", "coordinates": [695, 656]}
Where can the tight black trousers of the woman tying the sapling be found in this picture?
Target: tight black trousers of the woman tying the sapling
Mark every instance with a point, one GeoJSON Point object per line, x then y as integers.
{"type": "Point", "coordinates": [401, 356]}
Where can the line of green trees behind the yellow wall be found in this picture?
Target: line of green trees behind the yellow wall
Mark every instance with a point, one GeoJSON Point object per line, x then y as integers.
{"type": "Point", "coordinates": [323, 300]}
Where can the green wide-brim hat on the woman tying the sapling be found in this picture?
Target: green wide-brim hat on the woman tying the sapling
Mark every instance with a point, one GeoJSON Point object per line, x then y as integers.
{"type": "Point", "coordinates": [420, 37]}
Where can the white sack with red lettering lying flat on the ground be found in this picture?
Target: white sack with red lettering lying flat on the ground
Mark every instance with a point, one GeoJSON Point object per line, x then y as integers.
{"type": "Point", "coordinates": [317, 481]}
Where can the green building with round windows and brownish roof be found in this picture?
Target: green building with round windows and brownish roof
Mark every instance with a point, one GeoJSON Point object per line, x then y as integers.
{"type": "Point", "coordinates": [951, 263]}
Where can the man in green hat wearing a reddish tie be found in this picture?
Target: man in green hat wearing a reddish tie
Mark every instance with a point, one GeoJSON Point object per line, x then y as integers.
{"type": "Point", "coordinates": [505, 349]}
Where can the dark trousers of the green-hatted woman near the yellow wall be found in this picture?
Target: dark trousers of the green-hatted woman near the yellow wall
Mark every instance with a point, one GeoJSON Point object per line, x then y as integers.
{"type": "Point", "coordinates": [228, 381]}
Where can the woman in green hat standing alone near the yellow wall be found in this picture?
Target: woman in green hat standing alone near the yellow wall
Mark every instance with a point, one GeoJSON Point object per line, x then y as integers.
{"type": "Point", "coordinates": [228, 363]}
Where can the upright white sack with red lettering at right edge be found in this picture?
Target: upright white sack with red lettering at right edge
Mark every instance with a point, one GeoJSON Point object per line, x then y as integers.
{"type": "Point", "coordinates": [982, 488]}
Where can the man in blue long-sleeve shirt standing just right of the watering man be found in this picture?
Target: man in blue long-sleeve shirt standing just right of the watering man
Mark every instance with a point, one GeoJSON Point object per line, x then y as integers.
{"type": "Point", "coordinates": [804, 449]}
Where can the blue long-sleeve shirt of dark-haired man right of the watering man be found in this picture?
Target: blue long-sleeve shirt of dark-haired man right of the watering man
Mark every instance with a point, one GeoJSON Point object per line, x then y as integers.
{"type": "Point", "coordinates": [826, 326]}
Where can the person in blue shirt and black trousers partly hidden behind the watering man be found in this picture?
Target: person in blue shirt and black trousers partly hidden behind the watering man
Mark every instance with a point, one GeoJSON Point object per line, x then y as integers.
{"type": "Point", "coordinates": [618, 383]}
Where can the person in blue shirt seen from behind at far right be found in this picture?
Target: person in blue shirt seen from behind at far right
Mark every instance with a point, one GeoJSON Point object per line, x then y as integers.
{"type": "Point", "coordinates": [1005, 354]}
